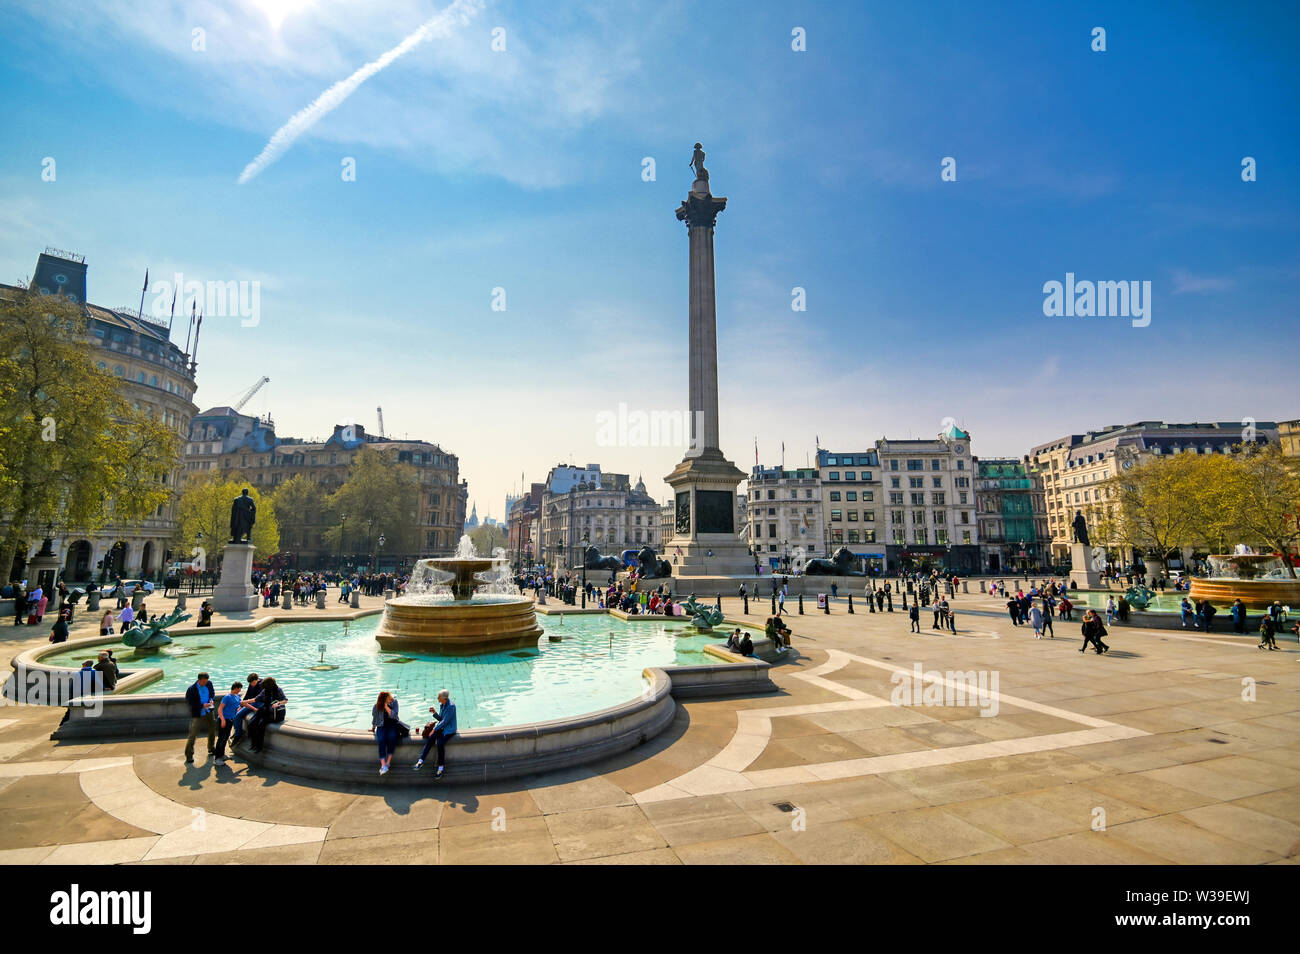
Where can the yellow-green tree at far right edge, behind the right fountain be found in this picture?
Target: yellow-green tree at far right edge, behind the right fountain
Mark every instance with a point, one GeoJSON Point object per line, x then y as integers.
{"type": "Point", "coordinates": [1263, 501]}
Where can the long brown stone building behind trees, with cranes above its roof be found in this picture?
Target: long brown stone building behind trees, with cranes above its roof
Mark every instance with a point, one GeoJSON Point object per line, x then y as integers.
{"type": "Point", "coordinates": [245, 448]}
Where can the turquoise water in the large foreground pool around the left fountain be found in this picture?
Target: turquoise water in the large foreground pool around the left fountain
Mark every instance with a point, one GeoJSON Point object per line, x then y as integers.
{"type": "Point", "coordinates": [599, 664]}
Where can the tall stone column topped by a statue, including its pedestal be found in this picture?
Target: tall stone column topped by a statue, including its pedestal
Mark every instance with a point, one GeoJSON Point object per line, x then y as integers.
{"type": "Point", "coordinates": [704, 540]}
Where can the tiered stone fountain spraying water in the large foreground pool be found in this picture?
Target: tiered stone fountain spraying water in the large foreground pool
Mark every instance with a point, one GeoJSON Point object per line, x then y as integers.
{"type": "Point", "coordinates": [458, 606]}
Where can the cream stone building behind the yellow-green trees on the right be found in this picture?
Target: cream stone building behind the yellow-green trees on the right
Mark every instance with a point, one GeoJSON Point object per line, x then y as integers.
{"type": "Point", "coordinates": [1074, 466]}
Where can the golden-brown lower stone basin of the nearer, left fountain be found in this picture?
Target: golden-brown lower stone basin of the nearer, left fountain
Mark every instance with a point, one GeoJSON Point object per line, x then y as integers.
{"type": "Point", "coordinates": [458, 627]}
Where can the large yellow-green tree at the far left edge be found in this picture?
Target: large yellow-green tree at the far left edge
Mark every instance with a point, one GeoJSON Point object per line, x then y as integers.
{"type": "Point", "coordinates": [73, 452]}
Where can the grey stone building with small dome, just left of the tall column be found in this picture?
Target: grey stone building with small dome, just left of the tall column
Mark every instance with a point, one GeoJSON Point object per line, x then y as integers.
{"type": "Point", "coordinates": [603, 509]}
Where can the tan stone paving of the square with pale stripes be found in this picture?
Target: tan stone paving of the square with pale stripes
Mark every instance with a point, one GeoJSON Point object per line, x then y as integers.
{"type": "Point", "coordinates": [1176, 748]}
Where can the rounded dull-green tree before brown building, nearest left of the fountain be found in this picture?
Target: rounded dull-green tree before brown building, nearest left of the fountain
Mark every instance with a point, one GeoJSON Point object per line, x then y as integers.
{"type": "Point", "coordinates": [379, 497]}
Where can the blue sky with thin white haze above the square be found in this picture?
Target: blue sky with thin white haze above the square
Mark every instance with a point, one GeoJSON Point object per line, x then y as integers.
{"type": "Point", "coordinates": [523, 170]}
